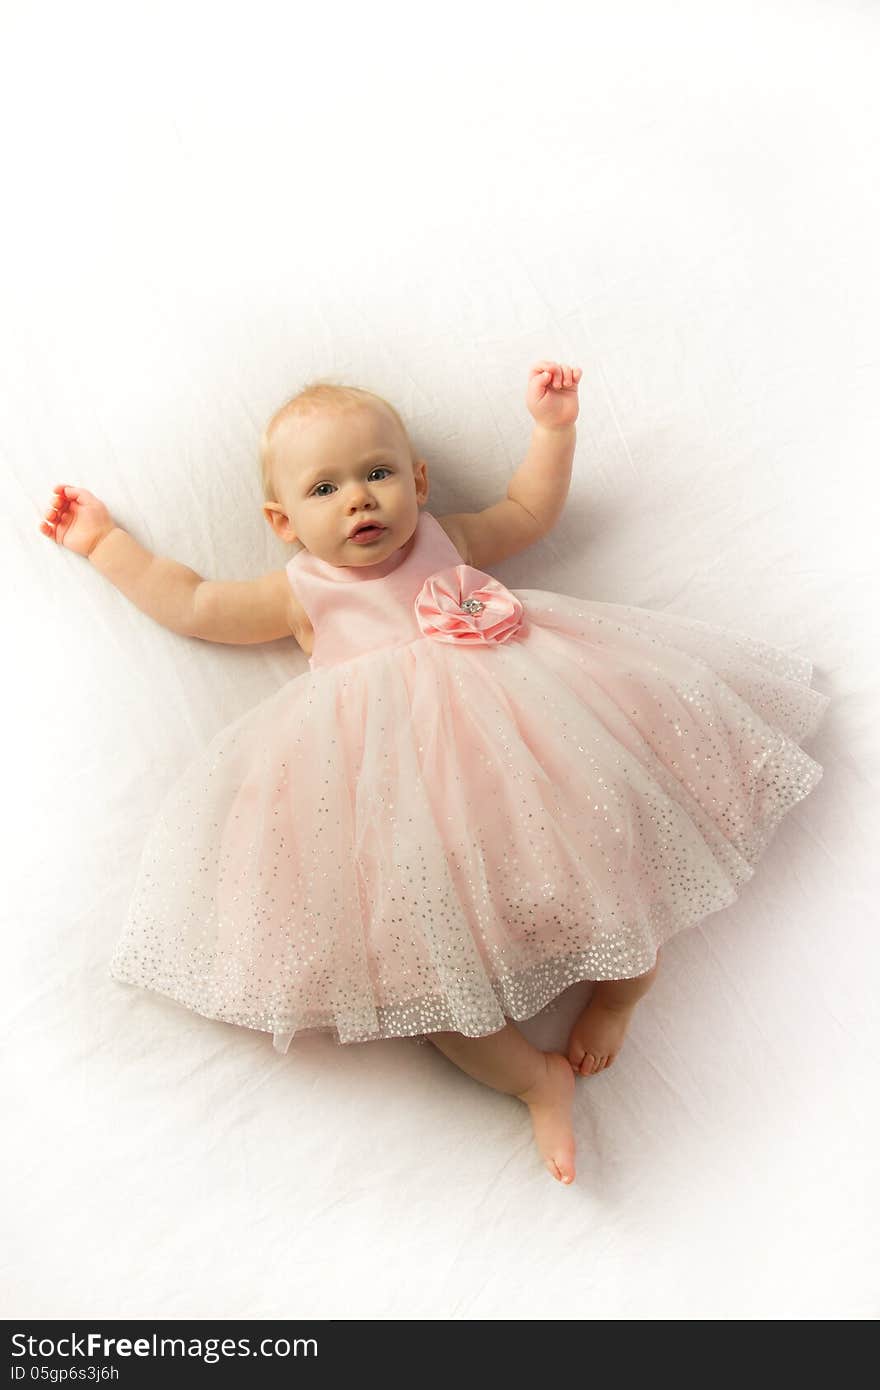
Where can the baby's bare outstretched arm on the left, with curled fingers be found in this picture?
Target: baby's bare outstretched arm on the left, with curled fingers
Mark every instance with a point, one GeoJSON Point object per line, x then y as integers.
{"type": "Point", "coordinates": [254, 611]}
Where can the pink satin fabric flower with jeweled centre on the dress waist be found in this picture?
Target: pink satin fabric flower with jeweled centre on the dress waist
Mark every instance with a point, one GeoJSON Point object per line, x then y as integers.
{"type": "Point", "coordinates": [465, 605]}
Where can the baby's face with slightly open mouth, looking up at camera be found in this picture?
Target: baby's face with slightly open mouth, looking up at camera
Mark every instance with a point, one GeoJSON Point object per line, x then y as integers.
{"type": "Point", "coordinates": [336, 472]}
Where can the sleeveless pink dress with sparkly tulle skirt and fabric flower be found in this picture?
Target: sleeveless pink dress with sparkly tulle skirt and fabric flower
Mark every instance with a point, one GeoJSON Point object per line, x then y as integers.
{"type": "Point", "coordinates": [475, 799]}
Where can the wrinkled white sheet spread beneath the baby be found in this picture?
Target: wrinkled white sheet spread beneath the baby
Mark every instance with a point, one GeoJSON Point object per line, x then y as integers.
{"type": "Point", "coordinates": [208, 208]}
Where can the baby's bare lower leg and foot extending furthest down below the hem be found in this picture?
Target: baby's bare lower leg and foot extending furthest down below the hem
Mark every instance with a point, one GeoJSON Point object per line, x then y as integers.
{"type": "Point", "coordinates": [507, 1061]}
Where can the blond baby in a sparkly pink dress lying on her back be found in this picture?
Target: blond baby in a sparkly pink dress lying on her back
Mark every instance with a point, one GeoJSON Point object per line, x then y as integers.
{"type": "Point", "coordinates": [535, 803]}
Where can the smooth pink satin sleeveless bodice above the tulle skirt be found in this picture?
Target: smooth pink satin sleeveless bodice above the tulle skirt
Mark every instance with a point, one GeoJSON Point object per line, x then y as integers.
{"type": "Point", "coordinates": [357, 610]}
